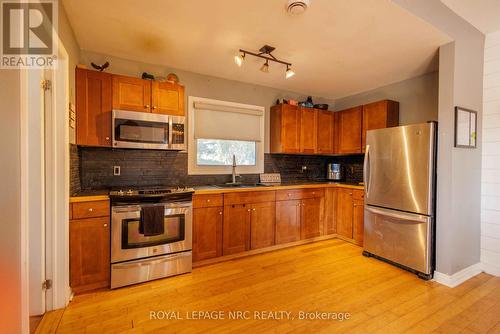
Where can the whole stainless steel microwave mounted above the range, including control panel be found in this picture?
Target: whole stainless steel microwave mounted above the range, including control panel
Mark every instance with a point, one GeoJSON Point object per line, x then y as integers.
{"type": "Point", "coordinates": [132, 129]}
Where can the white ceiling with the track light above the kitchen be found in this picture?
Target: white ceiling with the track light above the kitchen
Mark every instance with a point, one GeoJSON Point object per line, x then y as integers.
{"type": "Point", "coordinates": [337, 47]}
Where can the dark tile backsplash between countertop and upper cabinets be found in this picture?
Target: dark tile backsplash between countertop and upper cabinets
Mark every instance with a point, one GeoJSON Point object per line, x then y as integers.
{"type": "Point", "coordinates": [92, 169]}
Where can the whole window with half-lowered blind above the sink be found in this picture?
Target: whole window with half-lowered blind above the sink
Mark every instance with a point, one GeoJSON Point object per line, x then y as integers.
{"type": "Point", "coordinates": [218, 130]}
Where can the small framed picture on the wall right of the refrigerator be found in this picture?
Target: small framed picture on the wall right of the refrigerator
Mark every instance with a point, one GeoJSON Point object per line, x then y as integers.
{"type": "Point", "coordinates": [465, 128]}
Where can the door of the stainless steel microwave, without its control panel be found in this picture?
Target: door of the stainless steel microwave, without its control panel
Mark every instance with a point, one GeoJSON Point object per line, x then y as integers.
{"type": "Point", "coordinates": [133, 129]}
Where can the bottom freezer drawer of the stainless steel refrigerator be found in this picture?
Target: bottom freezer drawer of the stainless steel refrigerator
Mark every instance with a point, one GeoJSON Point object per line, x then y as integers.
{"type": "Point", "coordinates": [400, 237]}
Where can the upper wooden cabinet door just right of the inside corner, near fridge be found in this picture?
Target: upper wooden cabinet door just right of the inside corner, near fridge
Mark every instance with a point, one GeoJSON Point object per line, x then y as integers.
{"type": "Point", "coordinates": [349, 130]}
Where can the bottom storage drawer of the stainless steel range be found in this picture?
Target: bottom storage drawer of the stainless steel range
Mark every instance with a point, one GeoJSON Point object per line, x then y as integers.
{"type": "Point", "coordinates": [131, 272]}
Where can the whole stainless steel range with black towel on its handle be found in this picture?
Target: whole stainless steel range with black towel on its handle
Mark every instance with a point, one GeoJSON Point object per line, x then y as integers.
{"type": "Point", "coordinates": [136, 257]}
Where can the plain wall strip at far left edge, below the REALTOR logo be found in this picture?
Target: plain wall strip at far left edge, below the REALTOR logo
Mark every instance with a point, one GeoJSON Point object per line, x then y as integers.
{"type": "Point", "coordinates": [10, 202]}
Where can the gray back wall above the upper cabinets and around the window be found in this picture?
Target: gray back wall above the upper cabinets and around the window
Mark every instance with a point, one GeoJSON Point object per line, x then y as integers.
{"type": "Point", "coordinates": [202, 85]}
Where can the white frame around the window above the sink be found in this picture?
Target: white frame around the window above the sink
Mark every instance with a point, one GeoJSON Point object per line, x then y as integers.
{"type": "Point", "coordinates": [195, 169]}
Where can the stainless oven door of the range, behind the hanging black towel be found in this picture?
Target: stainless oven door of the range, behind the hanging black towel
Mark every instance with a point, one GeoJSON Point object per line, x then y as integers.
{"type": "Point", "coordinates": [128, 244]}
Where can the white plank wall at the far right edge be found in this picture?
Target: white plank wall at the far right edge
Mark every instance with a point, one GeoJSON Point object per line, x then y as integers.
{"type": "Point", "coordinates": [490, 193]}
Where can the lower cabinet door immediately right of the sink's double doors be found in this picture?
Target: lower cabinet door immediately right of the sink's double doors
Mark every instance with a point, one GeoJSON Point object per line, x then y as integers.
{"type": "Point", "coordinates": [287, 221]}
